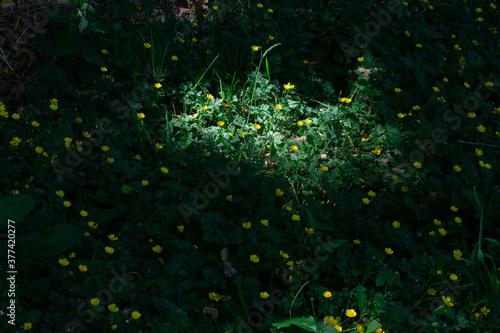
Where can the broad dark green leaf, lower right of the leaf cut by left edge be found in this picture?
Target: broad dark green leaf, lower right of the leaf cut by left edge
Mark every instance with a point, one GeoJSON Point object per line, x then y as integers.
{"type": "Point", "coordinates": [63, 237]}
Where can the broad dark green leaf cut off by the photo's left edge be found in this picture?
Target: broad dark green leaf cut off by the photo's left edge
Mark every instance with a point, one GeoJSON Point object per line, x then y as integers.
{"type": "Point", "coordinates": [15, 208]}
